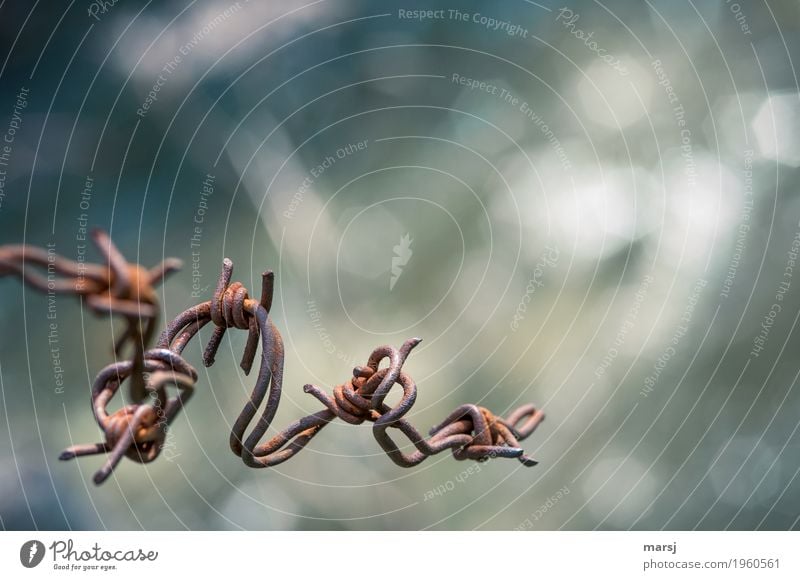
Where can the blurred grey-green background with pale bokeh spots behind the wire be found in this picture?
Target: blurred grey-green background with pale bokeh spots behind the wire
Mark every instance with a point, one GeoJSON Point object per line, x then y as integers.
{"type": "Point", "coordinates": [600, 207]}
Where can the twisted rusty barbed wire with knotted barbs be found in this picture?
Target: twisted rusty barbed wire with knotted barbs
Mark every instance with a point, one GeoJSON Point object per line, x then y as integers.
{"type": "Point", "coordinates": [138, 429]}
